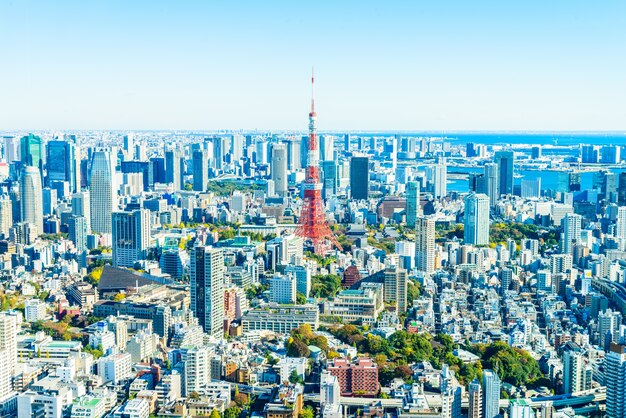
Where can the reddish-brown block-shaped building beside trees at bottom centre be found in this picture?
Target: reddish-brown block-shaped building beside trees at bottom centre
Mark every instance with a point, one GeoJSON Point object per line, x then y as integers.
{"type": "Point", "coordinates": [359, 378]}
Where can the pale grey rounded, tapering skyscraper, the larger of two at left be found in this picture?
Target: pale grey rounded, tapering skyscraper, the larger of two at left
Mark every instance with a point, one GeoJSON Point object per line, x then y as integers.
{"type": "Point", "coordinates": [102, 193]}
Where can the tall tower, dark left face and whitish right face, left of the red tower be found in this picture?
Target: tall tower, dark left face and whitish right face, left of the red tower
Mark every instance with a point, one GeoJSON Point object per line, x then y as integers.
{"type": "Point", "coordinates": [207, 288]}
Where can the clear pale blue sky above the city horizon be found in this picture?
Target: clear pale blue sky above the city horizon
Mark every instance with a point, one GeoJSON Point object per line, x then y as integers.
{"type": "Point", "coordinates": [380, 65]}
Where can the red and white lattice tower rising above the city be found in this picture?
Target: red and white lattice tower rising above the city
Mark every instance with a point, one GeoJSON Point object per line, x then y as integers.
{"type": "Point", "coordinates": [313, 225]}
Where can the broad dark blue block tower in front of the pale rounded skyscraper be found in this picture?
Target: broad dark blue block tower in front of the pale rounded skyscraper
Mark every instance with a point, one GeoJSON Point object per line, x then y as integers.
{"type": "Point", "coordinates": [131, 237]}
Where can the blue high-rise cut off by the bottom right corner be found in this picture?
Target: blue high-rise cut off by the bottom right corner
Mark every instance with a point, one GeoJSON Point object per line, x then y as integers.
{"type": "Point", "coordinates": [615, 378]}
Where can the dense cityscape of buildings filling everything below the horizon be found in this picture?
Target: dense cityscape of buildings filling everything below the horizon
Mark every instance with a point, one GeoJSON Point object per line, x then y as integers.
{"type": "Point", "coordinates": [318, 274]}
